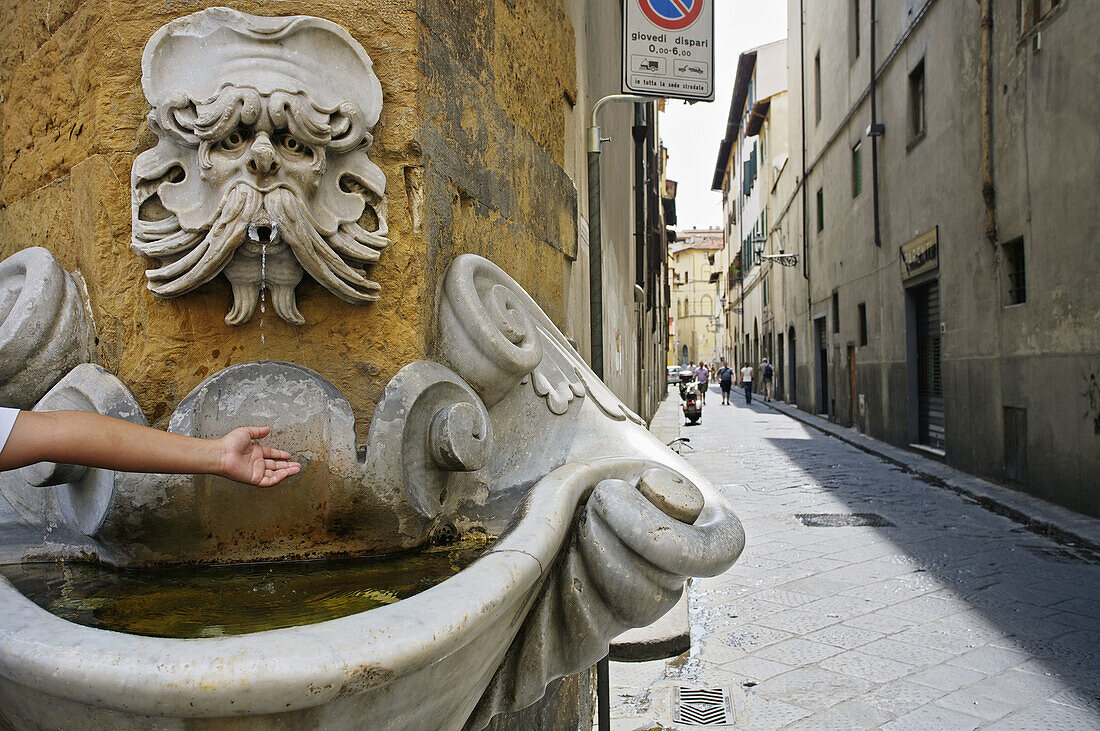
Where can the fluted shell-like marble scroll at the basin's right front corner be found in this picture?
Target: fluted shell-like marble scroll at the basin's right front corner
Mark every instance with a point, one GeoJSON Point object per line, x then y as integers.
{"type": "Point", "coordinates": [624, 567]}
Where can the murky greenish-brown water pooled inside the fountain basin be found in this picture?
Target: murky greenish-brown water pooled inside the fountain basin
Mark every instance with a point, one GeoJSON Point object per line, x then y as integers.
{"type": "Point", "coordinates": [201, 602]}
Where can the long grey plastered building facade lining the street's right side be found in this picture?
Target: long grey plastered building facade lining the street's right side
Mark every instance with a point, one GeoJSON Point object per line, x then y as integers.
{"type": "Point", "coordinates": [947, 292]}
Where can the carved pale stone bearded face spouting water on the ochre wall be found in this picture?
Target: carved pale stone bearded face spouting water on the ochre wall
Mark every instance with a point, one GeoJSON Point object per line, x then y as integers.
{"type": "Point", "coordinates": [261, 170]}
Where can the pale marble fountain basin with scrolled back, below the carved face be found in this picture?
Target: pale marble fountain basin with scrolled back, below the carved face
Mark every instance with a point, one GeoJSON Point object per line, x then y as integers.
{"type": "Point", "coordinates": [597, 525]}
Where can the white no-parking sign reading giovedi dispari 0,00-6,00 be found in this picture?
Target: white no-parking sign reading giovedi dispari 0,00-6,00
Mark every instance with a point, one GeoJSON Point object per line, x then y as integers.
{"type": "Point", "coordinates": [668, 49]}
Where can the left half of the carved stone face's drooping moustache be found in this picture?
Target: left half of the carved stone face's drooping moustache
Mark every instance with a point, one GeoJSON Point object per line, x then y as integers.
{"type": "Point", "coordinates": [213, 253]}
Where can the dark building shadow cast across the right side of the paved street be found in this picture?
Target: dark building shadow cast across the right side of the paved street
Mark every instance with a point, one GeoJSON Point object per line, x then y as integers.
{"type": "Point", "coordinates": [1042, 597]}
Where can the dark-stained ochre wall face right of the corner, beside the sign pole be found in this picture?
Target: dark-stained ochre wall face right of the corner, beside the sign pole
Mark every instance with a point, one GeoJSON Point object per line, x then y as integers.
{"type": "Point", "coordinates": [499, 79]}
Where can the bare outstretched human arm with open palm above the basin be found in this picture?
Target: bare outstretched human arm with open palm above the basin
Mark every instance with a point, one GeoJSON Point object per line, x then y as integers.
{"type": "Point", "coordinates": [98, 441]}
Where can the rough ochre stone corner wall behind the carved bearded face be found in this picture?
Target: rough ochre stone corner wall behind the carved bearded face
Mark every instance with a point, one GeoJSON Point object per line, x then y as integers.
{"type": "Point", "coordinates": [470, 140]}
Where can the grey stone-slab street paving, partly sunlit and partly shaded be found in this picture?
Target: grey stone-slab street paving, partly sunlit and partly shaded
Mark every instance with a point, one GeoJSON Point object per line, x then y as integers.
{"type": "Point", "coordinates": [942, 616]}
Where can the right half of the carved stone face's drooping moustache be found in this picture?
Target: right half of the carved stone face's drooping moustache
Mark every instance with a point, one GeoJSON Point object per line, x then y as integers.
{"type": "Point", "coordinates": [325, 256]}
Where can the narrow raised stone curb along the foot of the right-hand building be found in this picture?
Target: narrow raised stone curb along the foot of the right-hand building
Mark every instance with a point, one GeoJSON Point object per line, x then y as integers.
{"type": "Point", "coordinates": [1037, 515]}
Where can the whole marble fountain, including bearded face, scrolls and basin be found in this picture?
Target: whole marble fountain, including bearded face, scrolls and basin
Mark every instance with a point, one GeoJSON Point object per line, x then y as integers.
{"type": "Point", "coordinates": [260, 174]}
